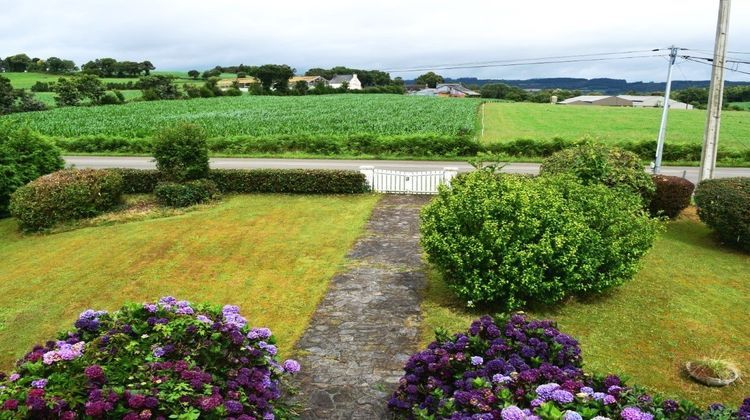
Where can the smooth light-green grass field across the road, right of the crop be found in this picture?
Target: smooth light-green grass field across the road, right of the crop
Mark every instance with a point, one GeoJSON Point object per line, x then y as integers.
{"type": "Point", "coordinates": [511, 121]}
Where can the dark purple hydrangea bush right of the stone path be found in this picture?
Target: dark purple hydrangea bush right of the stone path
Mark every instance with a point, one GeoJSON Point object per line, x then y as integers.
{"type": "Point", "coordinates": [525, 370]}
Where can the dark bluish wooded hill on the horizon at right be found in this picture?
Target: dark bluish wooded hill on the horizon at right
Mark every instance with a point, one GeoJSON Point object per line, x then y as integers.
{"type": "Point", "coordinates": [604, 85]}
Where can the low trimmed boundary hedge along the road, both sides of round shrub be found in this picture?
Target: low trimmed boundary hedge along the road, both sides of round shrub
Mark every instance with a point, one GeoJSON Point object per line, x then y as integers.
{"type": "Point", "coordinates": [295, 181]}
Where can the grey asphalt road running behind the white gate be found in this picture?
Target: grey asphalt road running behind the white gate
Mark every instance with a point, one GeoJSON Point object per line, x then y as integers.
{"type": "Point", "coordinates": [100, 162]}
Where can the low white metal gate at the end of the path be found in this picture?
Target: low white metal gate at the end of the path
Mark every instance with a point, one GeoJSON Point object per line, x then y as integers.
{"type": "Point", "coordinates": [406, 182]}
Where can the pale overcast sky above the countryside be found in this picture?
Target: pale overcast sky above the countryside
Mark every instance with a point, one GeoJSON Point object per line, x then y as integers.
{"type": "Point", "coordinates": [382, 34]}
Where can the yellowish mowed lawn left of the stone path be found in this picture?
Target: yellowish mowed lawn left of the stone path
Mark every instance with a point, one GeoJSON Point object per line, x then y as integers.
{"type": "Point", "coordinates": [272, 255]}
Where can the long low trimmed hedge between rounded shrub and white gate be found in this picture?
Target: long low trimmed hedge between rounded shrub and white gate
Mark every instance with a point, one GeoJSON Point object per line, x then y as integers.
{"type": "Point", "coordinates": [297, 181]}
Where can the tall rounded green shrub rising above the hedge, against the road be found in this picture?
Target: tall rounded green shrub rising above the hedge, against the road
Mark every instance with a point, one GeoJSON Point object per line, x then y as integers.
{"type": "Point", "coordinates": [181, 152]}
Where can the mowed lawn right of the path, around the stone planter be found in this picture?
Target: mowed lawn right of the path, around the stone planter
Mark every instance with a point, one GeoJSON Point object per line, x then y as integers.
{"type": "Point", "coordinates": [691, 299]}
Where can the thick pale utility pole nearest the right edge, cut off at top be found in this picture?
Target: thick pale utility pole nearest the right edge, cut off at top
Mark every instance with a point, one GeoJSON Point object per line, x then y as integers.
{"type": "Point", "coordinates": [715, 94]}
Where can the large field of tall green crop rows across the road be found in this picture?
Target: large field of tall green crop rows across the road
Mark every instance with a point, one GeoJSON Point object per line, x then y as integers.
{"type": "Point", "coordinates": [262, 116]}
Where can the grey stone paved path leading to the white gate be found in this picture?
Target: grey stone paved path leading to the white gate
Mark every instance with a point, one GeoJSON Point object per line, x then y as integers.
{"type": "Point", "coordinates": [367, 325]}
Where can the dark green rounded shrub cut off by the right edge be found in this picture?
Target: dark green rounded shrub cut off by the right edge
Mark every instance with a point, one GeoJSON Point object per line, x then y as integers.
{"type": "Point", "coordinates": [724, 205]}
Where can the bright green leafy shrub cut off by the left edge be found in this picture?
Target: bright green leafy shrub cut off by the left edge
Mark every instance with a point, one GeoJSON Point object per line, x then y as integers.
{"type": "Point", "coordinates": [24, 156]}
